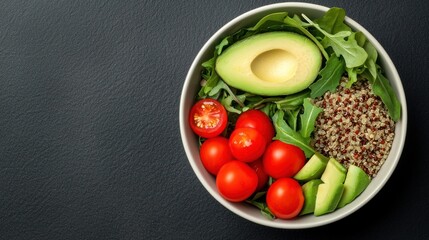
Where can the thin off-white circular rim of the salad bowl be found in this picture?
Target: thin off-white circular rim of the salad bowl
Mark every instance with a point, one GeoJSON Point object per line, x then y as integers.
{"type": "Point", "coordinates": [285, 224]}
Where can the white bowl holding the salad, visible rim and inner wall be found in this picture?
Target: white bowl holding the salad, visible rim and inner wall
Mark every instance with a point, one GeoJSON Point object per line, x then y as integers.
{"type": "Point", "coordinates": [190, 141]}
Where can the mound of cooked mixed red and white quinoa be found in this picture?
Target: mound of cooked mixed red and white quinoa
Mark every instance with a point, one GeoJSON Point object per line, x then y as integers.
{"type": "Point", "coordinates": [354, 128]}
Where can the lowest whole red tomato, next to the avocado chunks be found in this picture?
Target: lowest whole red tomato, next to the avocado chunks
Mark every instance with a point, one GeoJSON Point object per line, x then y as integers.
{"type": "Point", "coordinates": [285, 198]}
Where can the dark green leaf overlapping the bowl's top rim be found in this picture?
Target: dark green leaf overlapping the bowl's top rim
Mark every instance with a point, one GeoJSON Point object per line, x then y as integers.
{"type": "Point", "coordinates": [333, 21]}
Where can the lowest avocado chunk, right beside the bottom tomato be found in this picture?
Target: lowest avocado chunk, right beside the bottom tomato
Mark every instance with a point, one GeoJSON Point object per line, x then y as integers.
{"type": "Point", "coordinates": [328, 197]}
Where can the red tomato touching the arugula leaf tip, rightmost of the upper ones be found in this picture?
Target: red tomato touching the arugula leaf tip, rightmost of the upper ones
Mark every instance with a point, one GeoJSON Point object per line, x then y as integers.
{"type": "Point", "coordinates": [282, 159]}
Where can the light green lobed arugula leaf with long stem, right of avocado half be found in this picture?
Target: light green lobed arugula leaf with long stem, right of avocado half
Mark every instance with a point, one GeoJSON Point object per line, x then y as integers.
{"type": "Point", "coordinates": [353, 54]}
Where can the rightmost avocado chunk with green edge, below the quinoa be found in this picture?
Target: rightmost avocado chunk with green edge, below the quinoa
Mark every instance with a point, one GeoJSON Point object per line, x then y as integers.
{"type": "Point", "coordinates": [356, 182]}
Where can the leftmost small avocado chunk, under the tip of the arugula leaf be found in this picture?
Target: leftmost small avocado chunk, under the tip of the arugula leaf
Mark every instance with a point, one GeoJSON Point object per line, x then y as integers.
{"type": "Point", "coordinates": [313, 169]}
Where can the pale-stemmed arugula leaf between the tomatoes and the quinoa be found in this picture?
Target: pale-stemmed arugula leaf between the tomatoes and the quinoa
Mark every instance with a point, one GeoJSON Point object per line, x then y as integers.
{"type": "Point", "coordinates": [286, 134]}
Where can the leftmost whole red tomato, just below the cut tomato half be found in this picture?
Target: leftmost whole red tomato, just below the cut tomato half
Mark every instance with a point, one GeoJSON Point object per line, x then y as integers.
{"type": "Point", "coordinates": [214, 153]}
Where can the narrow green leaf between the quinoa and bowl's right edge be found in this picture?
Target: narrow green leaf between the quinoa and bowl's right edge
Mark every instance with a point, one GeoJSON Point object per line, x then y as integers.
{"type": "Point", "coordinates": [382, 88]}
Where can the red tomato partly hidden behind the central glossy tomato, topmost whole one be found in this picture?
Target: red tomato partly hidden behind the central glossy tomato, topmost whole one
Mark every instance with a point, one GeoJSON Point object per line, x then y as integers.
{"type": "Point", "coordinates": [258, 120]}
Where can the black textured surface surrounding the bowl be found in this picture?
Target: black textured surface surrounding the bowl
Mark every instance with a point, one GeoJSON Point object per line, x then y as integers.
{"type": "Point", "coordinates": [89, 133]}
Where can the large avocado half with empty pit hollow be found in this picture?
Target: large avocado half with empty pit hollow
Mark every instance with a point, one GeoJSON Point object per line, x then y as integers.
{"type": "Point", "coordinates": [270, 64]}
